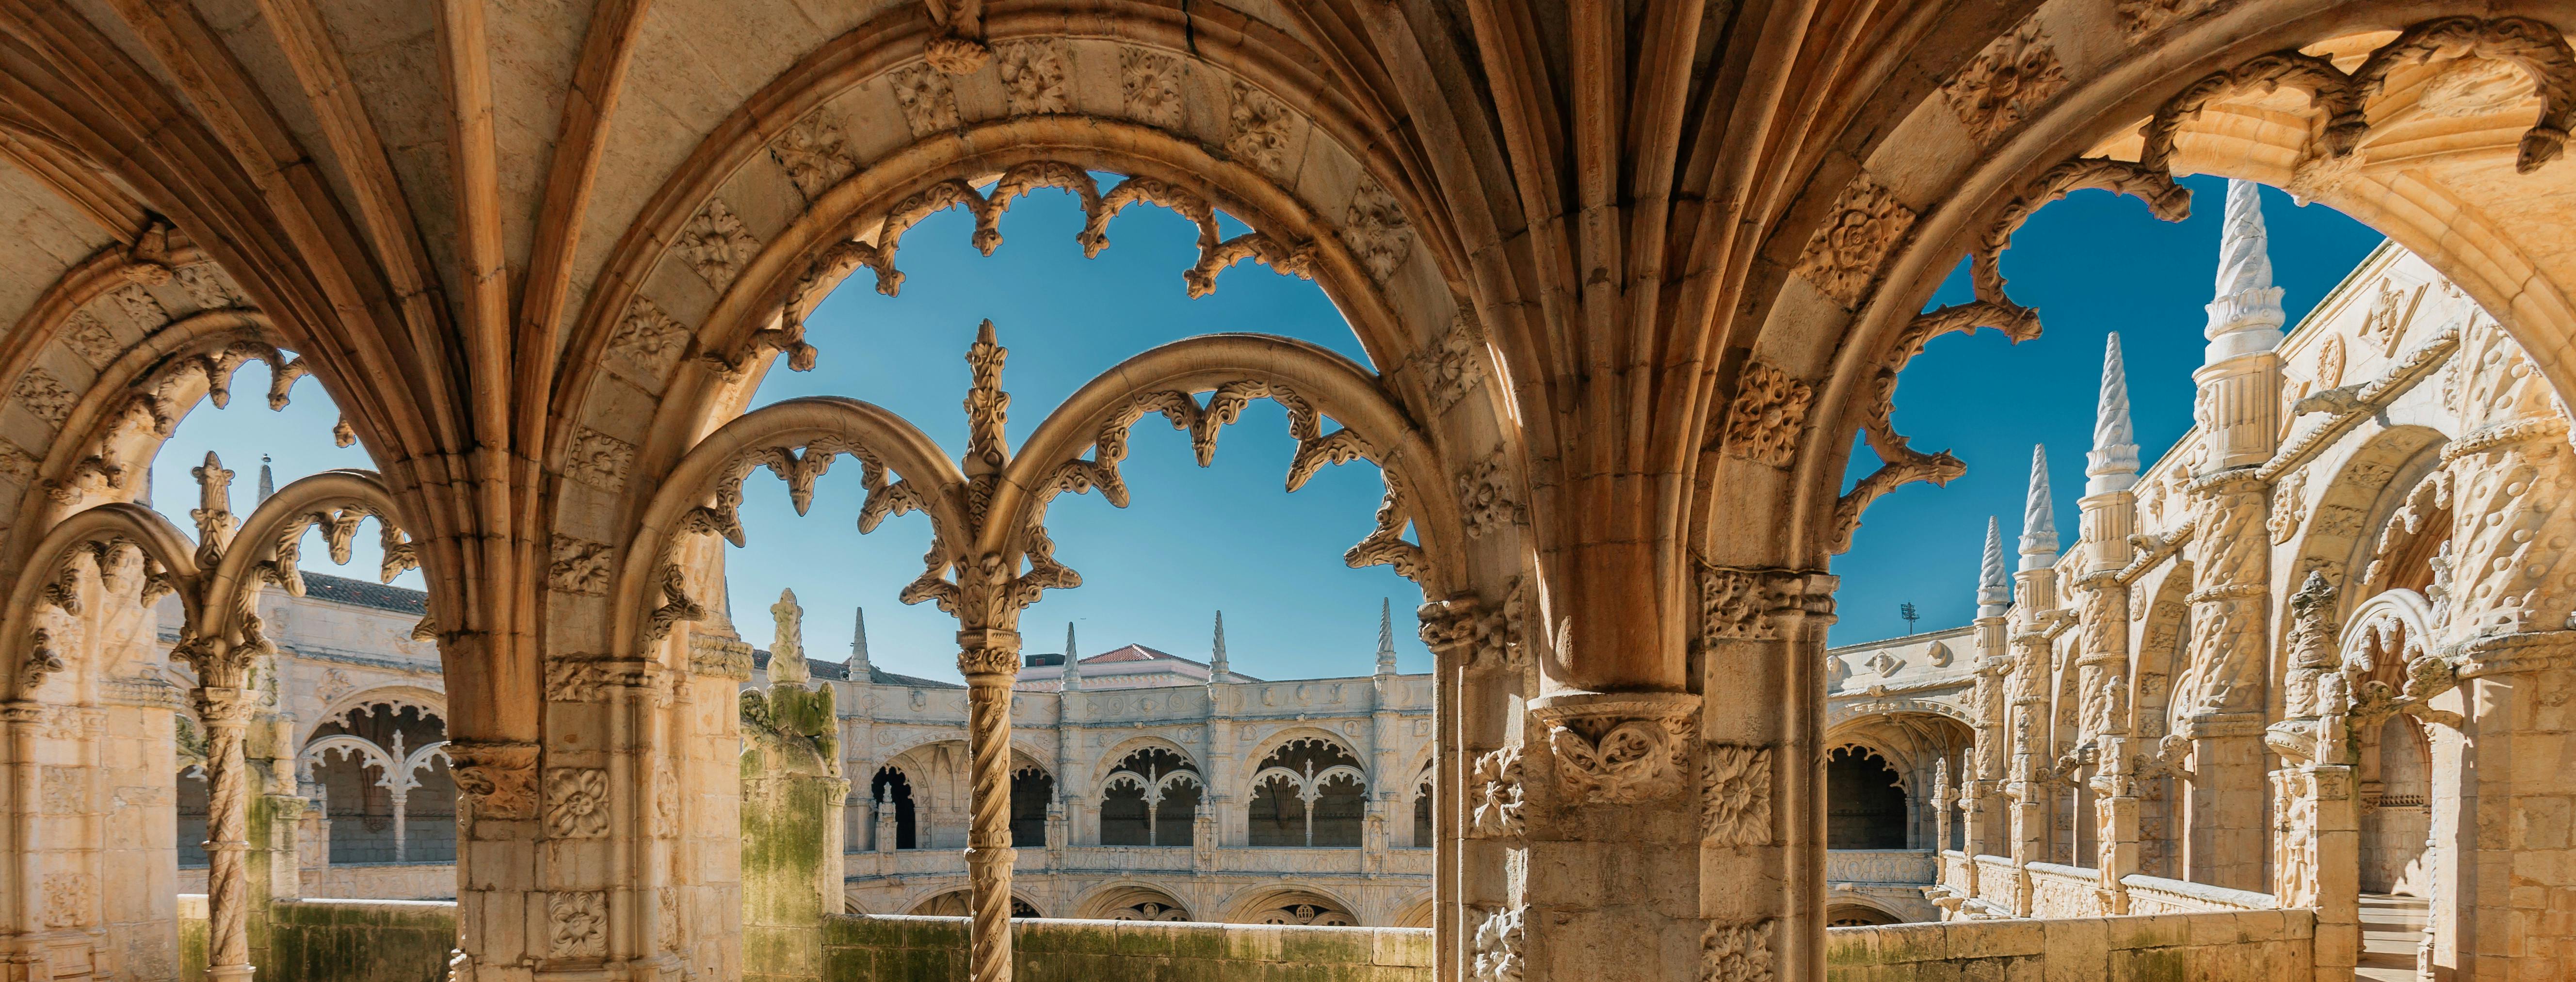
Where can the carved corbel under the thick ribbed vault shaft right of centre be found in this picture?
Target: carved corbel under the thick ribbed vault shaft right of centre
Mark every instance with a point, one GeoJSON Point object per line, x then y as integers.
{"type": "Point", "coordinates": [1619, 749]}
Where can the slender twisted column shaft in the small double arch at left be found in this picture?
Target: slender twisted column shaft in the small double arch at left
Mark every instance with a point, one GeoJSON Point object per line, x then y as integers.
{"type": "Point", "coordinates": [228, 831]}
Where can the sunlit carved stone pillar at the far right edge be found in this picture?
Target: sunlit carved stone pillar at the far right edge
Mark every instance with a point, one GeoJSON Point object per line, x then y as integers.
{"type": "Point", "coordinates": [2503, 617]}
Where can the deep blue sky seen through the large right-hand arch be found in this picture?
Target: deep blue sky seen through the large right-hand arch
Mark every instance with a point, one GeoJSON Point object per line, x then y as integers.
{"type": "Point", "coordinates": [2090, 264]}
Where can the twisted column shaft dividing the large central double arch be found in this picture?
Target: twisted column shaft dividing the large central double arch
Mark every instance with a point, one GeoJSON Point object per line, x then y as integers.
{"type": "Point", "coordinates": [990, 664]}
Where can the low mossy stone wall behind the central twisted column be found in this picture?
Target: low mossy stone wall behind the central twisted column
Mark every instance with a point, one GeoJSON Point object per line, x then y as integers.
{"type": "Point", "coordinates": [934, 950]}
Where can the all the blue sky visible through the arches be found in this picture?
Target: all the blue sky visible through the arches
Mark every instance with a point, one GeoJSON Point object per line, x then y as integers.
{"type": "Point", "coordinates": [1230, 537]}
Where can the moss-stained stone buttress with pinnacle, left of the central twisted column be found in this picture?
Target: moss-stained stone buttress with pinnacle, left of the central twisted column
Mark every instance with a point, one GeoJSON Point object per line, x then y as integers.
{"type": "Point", "coordinates": [792, 798]}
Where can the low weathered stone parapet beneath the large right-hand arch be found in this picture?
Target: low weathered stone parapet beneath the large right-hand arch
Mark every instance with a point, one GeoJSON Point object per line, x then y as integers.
{"type": "Point", "coordinates": [2204, 947]}
